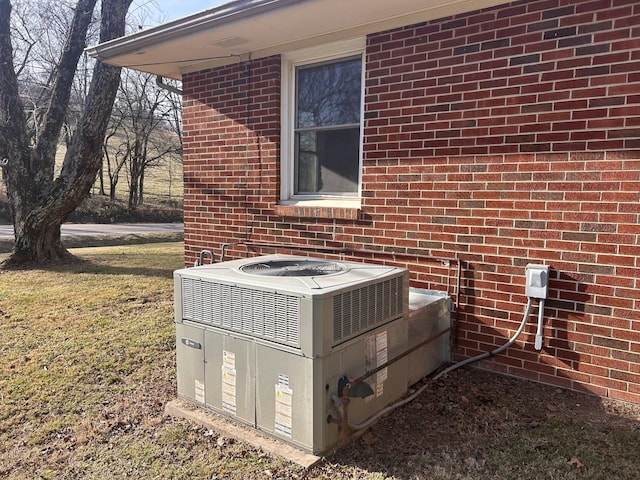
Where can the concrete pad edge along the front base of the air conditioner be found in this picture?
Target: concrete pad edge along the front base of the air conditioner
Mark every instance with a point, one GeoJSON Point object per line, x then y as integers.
{"type": "Point", "coordinates": [181, 409]}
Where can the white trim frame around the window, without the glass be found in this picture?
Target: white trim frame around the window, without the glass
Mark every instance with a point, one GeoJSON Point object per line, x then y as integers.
{"type": "Point", "coordinates": [290, 61]}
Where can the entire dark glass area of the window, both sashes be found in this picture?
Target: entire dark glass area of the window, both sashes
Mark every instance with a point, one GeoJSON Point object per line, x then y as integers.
{"type": "Point", "coordinates": [327, 130]}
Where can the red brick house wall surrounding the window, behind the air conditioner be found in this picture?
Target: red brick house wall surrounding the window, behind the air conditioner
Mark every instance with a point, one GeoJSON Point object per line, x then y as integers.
{"type": "Point", "coordinates": [502, 137]}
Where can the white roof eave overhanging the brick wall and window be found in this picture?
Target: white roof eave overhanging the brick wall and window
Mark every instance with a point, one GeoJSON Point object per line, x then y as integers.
{"type": "Point", "coordinates": [257, 28]}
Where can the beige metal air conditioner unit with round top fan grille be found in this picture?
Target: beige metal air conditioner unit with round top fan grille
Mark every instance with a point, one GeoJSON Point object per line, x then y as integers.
{"type": "Point", "coordinates": [266, 340]}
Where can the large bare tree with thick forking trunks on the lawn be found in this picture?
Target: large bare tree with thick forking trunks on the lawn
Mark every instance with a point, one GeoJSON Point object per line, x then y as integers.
{"type": "Point", "coordinates": [40, 202]}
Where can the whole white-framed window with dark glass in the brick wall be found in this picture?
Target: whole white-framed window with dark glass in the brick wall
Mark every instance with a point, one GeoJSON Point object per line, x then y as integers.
{"type": "Point", "coordinates": [322, 123]}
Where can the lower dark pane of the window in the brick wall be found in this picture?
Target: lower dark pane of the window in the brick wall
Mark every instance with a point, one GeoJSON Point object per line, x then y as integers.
{"type": "Point", "coordinates": [328, 161]}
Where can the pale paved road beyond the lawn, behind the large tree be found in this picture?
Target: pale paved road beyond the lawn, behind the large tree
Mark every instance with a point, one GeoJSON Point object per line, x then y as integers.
{"type": "Point", "coordinates": [97, 229]}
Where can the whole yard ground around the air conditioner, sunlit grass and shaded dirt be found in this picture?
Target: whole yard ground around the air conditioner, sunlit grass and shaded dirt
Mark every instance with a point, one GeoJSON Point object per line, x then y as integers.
{"type": "Point", "coordinates": [87, 364]}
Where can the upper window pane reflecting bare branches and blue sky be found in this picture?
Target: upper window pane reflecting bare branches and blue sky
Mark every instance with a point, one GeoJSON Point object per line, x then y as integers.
{"type": "Point", "coordinates": [329, 94]}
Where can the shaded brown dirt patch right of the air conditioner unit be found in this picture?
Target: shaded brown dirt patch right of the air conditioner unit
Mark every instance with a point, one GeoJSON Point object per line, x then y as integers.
{"type": "Point", "coordinates": [476, 424]}
